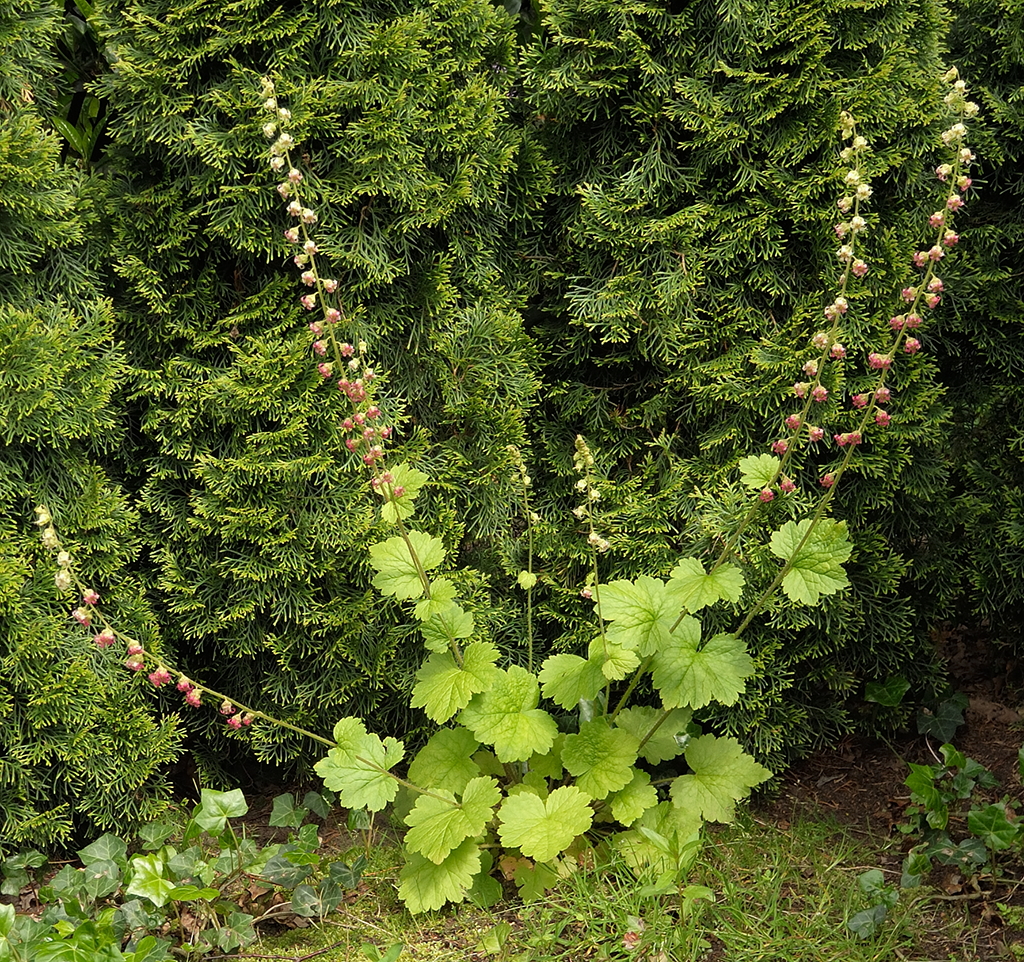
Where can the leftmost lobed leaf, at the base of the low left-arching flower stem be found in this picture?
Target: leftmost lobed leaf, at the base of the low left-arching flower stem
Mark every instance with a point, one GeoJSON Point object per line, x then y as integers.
{"type": "Point", "coordinates": [357, 768]}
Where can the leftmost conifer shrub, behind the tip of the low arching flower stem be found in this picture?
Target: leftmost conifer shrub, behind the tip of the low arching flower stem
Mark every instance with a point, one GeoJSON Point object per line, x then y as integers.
{"type": "Point", "coordinates": [79, 747]}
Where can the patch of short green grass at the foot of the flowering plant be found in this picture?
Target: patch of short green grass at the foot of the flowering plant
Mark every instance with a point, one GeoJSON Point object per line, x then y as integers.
{"type": "Point", "coordinates": [782, 896]}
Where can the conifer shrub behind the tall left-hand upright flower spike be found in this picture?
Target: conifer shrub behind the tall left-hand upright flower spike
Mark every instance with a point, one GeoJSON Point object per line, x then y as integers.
{"type": "Point", "coordinates": [259, 518]}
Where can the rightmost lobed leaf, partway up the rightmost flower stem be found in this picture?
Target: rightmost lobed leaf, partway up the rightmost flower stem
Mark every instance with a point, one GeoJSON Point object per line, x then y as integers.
{"type": "Point", "coordinates": [817, 568]}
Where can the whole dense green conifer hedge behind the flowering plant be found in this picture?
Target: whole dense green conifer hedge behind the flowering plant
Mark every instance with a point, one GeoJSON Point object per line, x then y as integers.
{"type": "Point", "coordinates": [590, 217]}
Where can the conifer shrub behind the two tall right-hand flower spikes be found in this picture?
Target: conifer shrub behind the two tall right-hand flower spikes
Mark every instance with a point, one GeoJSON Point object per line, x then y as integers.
{"type": "Point", "coordinates": [686, 258]}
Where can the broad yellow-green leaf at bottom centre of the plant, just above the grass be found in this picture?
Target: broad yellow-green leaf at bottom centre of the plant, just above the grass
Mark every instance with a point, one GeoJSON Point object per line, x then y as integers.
{"type": "Point", "coordinates": [542, 829]}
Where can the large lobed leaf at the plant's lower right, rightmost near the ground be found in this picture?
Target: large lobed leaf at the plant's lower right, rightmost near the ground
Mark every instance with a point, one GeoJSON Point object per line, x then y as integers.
{"type": "Point", "coordinates": [723, 774]}
